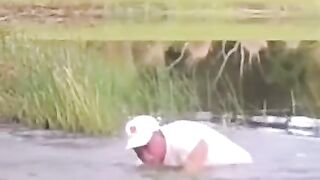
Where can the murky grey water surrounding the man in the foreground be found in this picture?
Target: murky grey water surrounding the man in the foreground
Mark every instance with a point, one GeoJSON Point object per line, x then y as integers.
{"type": "Point", "coordinates": [53, 155]}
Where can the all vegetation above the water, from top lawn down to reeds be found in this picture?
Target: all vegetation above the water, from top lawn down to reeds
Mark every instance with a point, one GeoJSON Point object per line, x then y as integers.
{"type": "Point", "coordinates": [60, 70]}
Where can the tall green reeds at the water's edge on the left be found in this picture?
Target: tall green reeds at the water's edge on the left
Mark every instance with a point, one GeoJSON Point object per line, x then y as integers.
{"type": "Point", "coordinates": [65, 85]}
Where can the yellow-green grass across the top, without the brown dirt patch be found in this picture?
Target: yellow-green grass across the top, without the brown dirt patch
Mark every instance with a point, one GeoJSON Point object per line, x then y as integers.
{"type": "Point", "coordinates": [186, 20]}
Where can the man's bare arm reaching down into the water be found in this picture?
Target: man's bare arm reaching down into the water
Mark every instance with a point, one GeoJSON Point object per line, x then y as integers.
{"type": "Point", "coordinates": [197, 158]}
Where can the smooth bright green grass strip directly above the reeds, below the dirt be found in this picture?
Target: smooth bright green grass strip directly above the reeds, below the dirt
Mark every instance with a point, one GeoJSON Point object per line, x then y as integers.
{"type": "Point", "coordinates": [307, 30]}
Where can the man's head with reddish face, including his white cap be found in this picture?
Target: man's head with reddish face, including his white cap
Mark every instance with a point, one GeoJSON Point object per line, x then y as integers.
{"type": "Point", "coordinates": [146, 140]}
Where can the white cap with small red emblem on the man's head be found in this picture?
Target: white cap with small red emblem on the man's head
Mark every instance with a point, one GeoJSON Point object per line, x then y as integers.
{"type": "Point", "coordinates": [140, 130]}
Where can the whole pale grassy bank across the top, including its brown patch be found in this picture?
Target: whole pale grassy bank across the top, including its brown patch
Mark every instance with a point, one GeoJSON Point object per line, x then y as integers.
{"type": "Point", "coordinates": [162, 20]}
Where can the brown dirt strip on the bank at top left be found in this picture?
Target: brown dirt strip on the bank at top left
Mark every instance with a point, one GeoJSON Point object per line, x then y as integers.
{"type": "Point", "coordinates": [85, 14]}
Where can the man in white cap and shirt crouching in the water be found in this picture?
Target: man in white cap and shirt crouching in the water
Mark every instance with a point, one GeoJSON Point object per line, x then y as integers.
{"type": "Point", "coordinates": [187, 144]}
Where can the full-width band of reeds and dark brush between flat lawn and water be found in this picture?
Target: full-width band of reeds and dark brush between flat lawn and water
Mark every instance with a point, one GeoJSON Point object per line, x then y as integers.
{"type": "Point", "coordinates": [81, 86]}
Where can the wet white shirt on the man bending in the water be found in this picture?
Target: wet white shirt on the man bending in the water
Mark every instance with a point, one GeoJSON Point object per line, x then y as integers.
{"type": "Point", "coordinates": [182, 136]}
